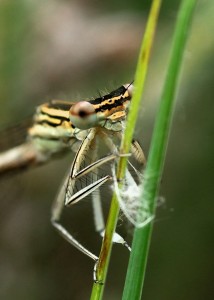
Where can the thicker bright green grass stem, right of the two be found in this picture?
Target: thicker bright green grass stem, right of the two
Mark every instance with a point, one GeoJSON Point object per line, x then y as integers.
{"type": "Point", "coordinates": [141, 241]}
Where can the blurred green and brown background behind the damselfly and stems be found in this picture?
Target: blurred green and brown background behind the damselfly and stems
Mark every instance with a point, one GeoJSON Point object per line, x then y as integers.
{"type": "Point", "coordinates": [72, 50]}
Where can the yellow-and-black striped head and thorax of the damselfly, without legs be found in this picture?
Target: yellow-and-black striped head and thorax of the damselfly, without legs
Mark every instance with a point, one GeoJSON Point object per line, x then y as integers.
{"type": "Point", "coordinates": [59, 119]}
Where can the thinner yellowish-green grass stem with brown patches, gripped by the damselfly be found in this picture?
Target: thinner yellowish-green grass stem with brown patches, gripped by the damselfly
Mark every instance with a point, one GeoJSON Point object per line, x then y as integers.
{"type": "Point", "coordinates": [142, 66]}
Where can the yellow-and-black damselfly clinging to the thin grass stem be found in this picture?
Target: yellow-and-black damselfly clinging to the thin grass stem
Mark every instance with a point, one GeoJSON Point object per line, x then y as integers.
{"type": "Point", "coordinates": [60, 125]}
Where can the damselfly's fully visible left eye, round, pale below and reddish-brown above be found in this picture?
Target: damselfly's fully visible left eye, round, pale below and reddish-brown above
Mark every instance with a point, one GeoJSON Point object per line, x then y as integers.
{"type": "Point", "coordinates": [82, 115]}
